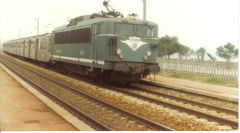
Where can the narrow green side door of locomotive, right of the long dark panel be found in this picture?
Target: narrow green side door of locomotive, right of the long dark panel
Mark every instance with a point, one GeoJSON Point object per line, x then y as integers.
{"type": "Point", "coordinates": [94, 43]}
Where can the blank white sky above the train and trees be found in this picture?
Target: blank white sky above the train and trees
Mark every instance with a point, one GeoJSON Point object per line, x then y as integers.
{"type": "Point", "coordinates": [197, 23]}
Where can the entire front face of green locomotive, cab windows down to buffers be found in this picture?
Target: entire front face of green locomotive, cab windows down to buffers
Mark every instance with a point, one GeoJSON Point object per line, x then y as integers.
{"type": "Point", "coordinates": [132, 49]}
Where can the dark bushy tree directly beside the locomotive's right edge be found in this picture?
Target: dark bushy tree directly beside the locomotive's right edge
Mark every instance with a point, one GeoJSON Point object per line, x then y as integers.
{"type": "Point", "coordinates": [167, 46]}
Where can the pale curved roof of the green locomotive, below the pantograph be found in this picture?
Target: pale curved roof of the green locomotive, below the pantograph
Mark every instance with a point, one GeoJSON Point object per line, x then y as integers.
{"type": "Point", "coordinates": [87, 21]}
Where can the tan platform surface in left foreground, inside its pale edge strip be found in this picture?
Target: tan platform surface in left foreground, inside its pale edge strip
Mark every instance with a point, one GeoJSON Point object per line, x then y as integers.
{"type": "Point", "coordinates": [22, 111]}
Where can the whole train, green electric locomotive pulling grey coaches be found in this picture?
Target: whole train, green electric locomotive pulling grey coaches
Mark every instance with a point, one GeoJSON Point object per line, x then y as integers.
{"type": "Point", "coordinates": [105, 45]}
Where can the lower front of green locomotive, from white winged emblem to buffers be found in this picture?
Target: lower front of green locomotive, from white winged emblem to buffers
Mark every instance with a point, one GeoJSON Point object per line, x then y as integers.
{"type": "Point", "coordinates": [136, 55]}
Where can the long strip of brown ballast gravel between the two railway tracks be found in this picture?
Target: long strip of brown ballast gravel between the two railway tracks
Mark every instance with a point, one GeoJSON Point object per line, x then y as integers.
{"type": "Point", "coordinates": [172, 118]}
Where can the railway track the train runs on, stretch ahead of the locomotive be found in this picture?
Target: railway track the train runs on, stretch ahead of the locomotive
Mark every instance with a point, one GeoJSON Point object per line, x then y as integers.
{"type": "Point", "coordinates": [230, 118]}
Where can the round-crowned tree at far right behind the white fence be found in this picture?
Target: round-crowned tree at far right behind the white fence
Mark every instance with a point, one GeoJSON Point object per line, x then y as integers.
{"type": "Point", "coordinates": [227, 51]}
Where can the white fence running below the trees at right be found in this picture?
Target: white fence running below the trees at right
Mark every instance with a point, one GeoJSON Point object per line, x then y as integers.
{"type": "Point", "coordinates": [227, 70]}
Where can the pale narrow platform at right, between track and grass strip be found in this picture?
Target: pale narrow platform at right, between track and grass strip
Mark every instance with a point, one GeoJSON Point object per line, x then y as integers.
{"type": "Point", "coordinates": [197, 85]}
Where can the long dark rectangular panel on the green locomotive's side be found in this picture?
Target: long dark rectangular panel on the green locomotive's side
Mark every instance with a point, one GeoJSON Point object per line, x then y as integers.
{"type": "Point", "coordinates": [83, 35]}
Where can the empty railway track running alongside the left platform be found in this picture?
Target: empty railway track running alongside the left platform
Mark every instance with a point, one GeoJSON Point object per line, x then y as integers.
{"type": "Point", "coordinates": [103, 115]}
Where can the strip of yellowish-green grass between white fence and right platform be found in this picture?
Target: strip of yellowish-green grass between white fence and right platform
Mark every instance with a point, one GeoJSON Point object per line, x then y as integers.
{"type": "Point", "coordinates": [208, 80]}
